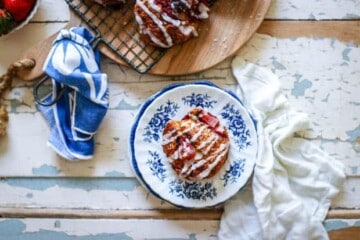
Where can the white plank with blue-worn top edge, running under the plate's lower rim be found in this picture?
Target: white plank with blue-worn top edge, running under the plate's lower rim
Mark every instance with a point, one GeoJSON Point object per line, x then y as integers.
{"type": "Point", "coordinates": [110, 193]}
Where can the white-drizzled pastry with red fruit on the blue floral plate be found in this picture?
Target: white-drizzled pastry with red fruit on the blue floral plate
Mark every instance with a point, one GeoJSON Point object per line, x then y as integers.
{"type": "Point", "coordinates": [197, 146]}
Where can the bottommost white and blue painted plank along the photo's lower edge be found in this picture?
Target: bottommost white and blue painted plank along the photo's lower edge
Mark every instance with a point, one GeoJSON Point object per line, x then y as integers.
{"type": "Point", "coordinates": [91, 229]}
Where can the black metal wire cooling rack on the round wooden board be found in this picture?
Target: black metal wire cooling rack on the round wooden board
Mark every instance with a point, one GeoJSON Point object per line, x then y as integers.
{"type": "Point", "coordinates": [117, 29]}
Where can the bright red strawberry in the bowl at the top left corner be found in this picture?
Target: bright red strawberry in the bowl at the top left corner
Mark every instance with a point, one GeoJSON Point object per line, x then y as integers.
{"type": "Point", "coordinates": [19, 9]}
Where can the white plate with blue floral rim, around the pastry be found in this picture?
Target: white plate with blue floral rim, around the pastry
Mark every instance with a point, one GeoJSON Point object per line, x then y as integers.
{"type": "Point", "coordinates": [151, 165]}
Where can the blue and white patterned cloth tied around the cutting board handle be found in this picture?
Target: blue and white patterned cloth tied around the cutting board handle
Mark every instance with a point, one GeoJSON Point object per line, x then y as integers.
{"type": "Point", "coordinates": [74, 119]}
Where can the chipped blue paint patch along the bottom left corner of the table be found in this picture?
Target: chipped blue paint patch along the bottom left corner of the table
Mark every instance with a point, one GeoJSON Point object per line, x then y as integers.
{"type": "Point", "coordinates": [15, 230]}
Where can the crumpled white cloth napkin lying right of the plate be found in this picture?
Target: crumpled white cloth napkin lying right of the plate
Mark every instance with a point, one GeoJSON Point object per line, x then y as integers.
{"type": "Point", "coordinates": [293, 181]}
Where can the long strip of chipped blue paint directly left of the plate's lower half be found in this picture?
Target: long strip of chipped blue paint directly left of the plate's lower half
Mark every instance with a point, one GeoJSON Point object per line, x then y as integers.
{"type": "Point", "coordinates": [87, 184]}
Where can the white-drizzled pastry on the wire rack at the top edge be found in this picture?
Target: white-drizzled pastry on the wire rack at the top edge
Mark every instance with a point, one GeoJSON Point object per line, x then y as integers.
{"type": "Point", "coordinates": [164, 23]}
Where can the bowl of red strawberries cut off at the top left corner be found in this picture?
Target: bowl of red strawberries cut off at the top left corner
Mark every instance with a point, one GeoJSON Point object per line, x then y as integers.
{"type": "Point", "coordinates": [14, 14]}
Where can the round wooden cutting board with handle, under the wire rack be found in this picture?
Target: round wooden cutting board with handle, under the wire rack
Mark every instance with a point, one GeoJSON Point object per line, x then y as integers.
{"type": "Point", "coordinates": [230, 26]}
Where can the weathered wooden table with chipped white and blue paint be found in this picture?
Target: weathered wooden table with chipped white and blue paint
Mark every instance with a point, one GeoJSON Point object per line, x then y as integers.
{"type": "Point", "coordinates": [313, 46]}
